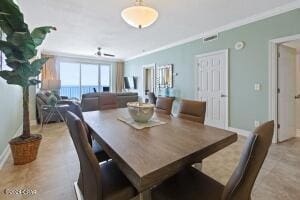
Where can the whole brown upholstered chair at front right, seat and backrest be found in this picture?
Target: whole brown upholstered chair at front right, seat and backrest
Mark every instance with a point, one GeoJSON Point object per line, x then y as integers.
{"type": "Point", "coordinates": [191, 184]}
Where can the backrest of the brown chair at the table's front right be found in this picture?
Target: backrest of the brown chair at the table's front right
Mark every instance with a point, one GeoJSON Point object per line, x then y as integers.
{"type": "Point", "coordinates": [255, 151]}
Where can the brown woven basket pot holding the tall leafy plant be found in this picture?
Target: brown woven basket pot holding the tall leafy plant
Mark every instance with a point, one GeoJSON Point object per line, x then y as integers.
{"type": "Point", "coordinates": [25, 150]}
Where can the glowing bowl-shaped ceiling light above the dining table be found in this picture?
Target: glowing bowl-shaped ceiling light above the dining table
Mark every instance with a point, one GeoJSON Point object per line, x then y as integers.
{"type": "Point", "coordinates": [139, 15]}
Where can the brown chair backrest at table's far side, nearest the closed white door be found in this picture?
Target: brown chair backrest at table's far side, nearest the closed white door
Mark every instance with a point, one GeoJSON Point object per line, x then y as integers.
{"type": "Point", "coordinates": [192, 110]}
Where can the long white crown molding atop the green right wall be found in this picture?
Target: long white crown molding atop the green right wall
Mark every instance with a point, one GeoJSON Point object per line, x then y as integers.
{"type": "Point", "coordinates": [270, 13]}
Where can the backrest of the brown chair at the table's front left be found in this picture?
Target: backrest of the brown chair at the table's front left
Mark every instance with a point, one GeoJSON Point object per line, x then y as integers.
{"type": "Point", "coordinates": [89, 167]}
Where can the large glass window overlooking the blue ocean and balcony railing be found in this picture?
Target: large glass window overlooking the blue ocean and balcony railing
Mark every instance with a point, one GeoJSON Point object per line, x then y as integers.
{"type": "Point", "coordinates": [81, 78]}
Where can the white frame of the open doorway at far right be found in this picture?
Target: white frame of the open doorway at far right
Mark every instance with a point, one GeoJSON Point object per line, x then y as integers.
{"type": "Point", "coordinates": [273, 80]}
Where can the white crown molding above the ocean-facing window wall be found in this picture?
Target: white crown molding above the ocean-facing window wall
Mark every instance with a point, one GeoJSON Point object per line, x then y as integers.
{"type": "Point", "coordinates": [68, 55]}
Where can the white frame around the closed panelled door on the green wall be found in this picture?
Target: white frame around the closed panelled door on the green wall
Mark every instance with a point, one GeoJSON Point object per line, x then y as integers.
{"type": "Point", "coordinates": [226, 52]}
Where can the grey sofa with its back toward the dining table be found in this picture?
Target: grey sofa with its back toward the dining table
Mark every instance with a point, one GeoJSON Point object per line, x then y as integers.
{"type": "Point", "coordinates": [92, 101]}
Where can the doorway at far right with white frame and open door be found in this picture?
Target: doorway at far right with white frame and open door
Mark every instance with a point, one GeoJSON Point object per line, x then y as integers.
{"type": "Point", "coordinates": [285, 87]}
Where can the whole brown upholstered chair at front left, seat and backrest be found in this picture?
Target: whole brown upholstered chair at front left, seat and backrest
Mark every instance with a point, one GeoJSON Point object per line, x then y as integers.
{"type": "Point", "coordinates": [96, 182]}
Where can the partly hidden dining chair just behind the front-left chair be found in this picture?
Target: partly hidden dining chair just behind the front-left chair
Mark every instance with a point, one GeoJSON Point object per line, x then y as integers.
{"type": "Point", "coordinates": [96, 147]}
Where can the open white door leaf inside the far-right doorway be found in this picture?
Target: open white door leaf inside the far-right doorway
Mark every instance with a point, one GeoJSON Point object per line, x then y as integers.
{"type": "Point", "coordinates": [287, 93]}
